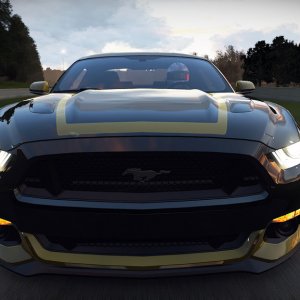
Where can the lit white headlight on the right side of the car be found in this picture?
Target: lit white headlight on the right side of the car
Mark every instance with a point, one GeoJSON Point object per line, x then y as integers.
{"type": "Point", "coordinates": [288, 157]}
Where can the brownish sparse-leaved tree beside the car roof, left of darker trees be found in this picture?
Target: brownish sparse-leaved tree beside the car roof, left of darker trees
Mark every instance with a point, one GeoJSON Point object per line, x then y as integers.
{"type": "Point", "coordinates": [230, 63]}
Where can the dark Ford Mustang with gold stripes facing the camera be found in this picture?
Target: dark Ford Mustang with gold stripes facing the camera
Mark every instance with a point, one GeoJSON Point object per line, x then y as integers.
{"type": "Point", "coordinates": [147, 164]}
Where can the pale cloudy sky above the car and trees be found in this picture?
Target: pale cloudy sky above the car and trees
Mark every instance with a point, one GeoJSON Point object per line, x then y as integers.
{"type": "Point", "coordinates": [65, 30]}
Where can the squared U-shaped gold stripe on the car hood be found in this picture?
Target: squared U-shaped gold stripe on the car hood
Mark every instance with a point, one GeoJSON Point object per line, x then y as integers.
{"type": "Point", "coordinates": [64, 128]}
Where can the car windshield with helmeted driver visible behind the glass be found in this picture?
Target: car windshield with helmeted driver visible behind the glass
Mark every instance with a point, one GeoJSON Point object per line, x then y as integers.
{"type": "Point", "coordinates": [142, 71]}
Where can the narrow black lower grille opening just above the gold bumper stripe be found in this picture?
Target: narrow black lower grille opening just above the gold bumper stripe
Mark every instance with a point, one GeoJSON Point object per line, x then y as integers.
{"type": "Point", "coordinates": [150, 247]}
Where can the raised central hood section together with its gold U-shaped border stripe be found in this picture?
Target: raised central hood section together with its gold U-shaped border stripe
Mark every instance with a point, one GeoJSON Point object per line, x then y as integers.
{"type": "Point", "coordinates": [141, 111]}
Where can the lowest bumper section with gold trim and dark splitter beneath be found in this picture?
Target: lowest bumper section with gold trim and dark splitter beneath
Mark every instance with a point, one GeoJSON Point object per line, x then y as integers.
{"type": "Point", "coordinates": [255, 255]}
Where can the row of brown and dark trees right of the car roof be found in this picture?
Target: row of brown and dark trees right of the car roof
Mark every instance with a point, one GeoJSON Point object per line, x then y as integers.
{"type": "Point", "coordinates": [278, 62]}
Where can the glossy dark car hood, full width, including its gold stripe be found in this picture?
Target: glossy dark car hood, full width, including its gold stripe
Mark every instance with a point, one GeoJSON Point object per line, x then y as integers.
{"type": "Point", "coordinates": [143, 112]}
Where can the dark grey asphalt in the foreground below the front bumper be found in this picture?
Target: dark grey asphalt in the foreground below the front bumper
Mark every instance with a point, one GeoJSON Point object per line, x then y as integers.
{"type": "Point", "coordinates": [281, 282]}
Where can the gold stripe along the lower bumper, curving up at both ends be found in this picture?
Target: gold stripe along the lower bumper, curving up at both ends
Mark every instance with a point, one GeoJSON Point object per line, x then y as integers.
{"type": "Point", "coordinates": [140, 261]}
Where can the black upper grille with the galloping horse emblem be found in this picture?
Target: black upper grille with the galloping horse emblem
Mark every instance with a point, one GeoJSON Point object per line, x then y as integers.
{"type": "Point", "coordinates": [144, 172]}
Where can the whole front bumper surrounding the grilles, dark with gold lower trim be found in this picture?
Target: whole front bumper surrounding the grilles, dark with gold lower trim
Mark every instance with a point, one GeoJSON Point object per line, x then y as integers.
{"type": "Point", "coordinates": [183, 220]}
